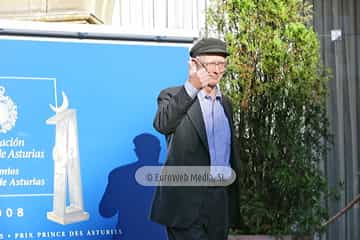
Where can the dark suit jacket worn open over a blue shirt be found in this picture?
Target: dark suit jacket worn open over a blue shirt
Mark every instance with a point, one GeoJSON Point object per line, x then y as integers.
{"type": "Point", "coordinates": [180, 118]}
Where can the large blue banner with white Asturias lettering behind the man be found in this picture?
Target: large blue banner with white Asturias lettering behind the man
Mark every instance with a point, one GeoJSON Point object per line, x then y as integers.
{"type": "Point", "coordinates": [67, 172]}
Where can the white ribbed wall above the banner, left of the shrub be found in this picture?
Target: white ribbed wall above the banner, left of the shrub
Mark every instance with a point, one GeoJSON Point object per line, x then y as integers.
{"type": "Point", "coordinates": [185, 15]}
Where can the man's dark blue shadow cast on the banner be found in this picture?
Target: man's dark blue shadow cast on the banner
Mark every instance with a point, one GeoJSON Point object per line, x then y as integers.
{"type": "Point", "coordinates": [130, 201]}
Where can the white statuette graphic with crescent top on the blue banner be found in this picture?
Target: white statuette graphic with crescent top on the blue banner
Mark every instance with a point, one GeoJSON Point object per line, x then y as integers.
{"type": "Point", "coordinates": [67, 167]}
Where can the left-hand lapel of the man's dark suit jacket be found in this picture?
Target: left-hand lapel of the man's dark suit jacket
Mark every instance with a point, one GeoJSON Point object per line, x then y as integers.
{"type": "Point", "coordinates": [195, 115]}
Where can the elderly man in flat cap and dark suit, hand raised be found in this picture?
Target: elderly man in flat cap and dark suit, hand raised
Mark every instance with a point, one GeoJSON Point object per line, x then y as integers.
{"type": "Point", "coordinates": [197, 122]}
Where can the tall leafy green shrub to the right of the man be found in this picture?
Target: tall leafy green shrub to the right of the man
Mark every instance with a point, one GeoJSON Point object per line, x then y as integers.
{"type": "Point", "coordinates": [279, 90]}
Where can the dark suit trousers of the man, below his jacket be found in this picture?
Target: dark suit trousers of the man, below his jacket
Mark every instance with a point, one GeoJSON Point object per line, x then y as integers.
{"type": "Point", "coordinates": [212, 222]}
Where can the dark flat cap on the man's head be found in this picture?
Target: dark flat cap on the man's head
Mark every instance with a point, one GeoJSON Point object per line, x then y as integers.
{"type": "Point", "coordinates": [209, 46]}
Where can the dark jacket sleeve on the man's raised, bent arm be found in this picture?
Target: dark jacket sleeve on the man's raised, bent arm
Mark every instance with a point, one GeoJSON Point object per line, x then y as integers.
{"type": "Point", "coordinates": [172, 106]}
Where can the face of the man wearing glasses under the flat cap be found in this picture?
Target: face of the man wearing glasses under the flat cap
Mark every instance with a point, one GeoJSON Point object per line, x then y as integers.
{"type": "Point", "coordinates": [215, 66]}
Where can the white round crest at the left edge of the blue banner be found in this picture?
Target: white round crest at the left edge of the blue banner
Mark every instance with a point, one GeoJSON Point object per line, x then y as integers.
{"type": "Point", "coordinates": [8, 112]}
